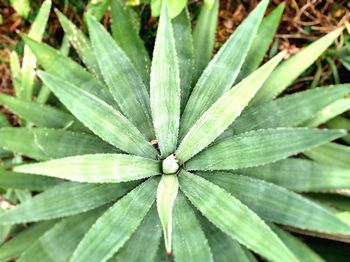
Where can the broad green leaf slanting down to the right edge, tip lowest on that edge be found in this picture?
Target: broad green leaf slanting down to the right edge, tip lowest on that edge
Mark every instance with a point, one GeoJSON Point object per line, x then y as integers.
{"type": "Point", "coordinates": [276, 204]}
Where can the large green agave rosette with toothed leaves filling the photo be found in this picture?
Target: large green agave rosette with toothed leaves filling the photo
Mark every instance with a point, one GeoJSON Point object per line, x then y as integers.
{"type": "Point", "coordinates": [153, 164]}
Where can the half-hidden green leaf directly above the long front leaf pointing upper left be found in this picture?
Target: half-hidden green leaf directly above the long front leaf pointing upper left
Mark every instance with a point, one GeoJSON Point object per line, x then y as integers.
{"type": "Point", "coordinates": [61, 66]}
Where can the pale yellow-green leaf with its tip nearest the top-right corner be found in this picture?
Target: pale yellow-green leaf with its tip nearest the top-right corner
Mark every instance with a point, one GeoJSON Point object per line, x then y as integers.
{"type": "Point", "coordinates": [287, 72]}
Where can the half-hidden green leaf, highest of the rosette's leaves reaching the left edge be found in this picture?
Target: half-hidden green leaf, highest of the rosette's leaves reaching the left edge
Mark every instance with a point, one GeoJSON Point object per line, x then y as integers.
{"type": "Point", "coordinates": [41, 115]}
